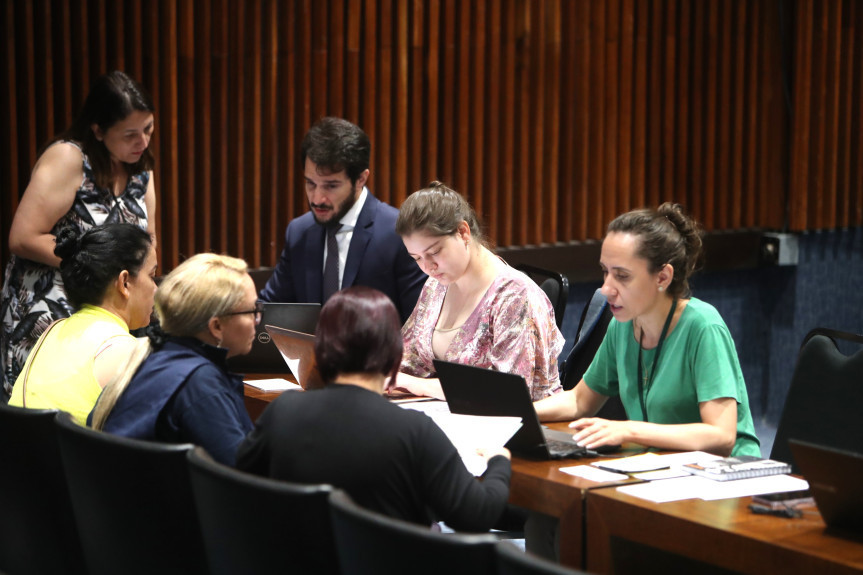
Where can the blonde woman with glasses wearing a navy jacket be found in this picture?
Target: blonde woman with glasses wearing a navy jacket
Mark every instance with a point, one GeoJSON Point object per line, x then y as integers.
{"type": "Point", "coordinates": [183, 392]}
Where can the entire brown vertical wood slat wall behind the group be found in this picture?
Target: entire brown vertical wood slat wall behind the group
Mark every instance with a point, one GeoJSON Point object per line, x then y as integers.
{"type": "Point", "coordinates": [552, 116]}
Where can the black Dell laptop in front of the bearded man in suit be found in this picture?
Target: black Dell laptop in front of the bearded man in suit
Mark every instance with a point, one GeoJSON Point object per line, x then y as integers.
{"type": "Point", "coordinates": [265, 357]}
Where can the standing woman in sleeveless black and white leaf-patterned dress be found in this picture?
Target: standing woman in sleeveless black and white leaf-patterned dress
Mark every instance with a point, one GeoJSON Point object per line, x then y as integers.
{"type": "Point", "coordinates": [98, 171]}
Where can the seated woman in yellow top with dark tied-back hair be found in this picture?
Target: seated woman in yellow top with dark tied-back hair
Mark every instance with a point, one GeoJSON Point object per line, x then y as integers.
{"type": "Point", "coordinates": [108, 273]}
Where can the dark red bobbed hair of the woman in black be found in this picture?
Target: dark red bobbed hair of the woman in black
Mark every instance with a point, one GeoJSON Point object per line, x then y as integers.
{"type": "Point", "coordinates": [358, 332]}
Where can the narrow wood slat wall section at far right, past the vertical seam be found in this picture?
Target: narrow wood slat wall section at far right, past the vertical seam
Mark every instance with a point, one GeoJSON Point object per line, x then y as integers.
{"type": "Point", "coordinates": [824, 181]}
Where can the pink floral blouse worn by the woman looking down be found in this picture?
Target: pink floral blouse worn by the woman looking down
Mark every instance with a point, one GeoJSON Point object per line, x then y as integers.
{"type": "Point", "coordinates": [512, 330]}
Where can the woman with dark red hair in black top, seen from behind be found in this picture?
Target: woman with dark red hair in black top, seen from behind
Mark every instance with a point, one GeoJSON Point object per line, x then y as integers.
{"type": "Point", "coordinates": [392, 460]}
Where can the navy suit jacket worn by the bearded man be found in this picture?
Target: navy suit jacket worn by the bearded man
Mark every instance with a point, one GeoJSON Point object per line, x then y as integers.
{"type": "Point", "coordinates": [376, 258]}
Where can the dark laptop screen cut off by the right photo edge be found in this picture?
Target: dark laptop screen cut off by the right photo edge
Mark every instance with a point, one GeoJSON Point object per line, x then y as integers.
{"type": "Point", "coordinates": [834, 481]}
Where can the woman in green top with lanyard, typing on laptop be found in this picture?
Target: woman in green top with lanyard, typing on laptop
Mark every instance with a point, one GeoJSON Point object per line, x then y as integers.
{"type": "Point", "coordinates": [669, 356]}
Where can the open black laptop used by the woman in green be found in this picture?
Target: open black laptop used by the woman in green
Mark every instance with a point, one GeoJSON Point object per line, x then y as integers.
{"type": "Point", "coordinates": [476, 391]}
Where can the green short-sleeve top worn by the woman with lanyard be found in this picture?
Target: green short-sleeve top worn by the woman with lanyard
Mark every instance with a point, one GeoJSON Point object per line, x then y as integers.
{"type": "Point", "coordinates": [698, 363]}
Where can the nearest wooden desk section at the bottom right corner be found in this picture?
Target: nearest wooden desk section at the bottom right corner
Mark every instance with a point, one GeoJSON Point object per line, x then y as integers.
{"type": "Point", "coordinates": [722, 535]}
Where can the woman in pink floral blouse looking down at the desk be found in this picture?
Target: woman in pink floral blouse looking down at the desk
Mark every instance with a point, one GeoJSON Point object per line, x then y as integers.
{"type": "Point", "coordinates": [474, 308]}
